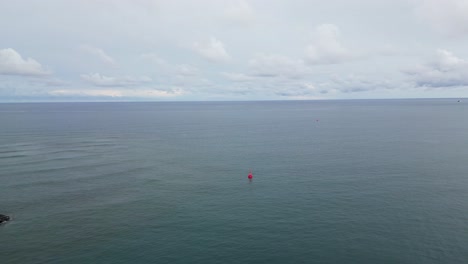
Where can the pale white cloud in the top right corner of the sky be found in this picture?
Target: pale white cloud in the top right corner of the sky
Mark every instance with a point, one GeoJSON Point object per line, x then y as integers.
{"type": "Point", "coordinates": [449, 17]}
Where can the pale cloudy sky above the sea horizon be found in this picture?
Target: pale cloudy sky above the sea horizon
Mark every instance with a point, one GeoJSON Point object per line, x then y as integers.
{"type": "Point", "coordinates": [204, 50]}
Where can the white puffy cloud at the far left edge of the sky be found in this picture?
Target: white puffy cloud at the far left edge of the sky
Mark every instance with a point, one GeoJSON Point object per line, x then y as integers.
{"type": "Point", "coordinates": [11, 63]}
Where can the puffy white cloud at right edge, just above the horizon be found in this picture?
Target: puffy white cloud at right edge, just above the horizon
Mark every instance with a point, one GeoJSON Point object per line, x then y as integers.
{"type": "Point", "coordinates": [444, 70]}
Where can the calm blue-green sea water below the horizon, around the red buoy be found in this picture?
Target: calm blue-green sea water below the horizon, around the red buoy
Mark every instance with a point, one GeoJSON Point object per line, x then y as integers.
{"type": "Point", "coordinates": [360, 181]}
